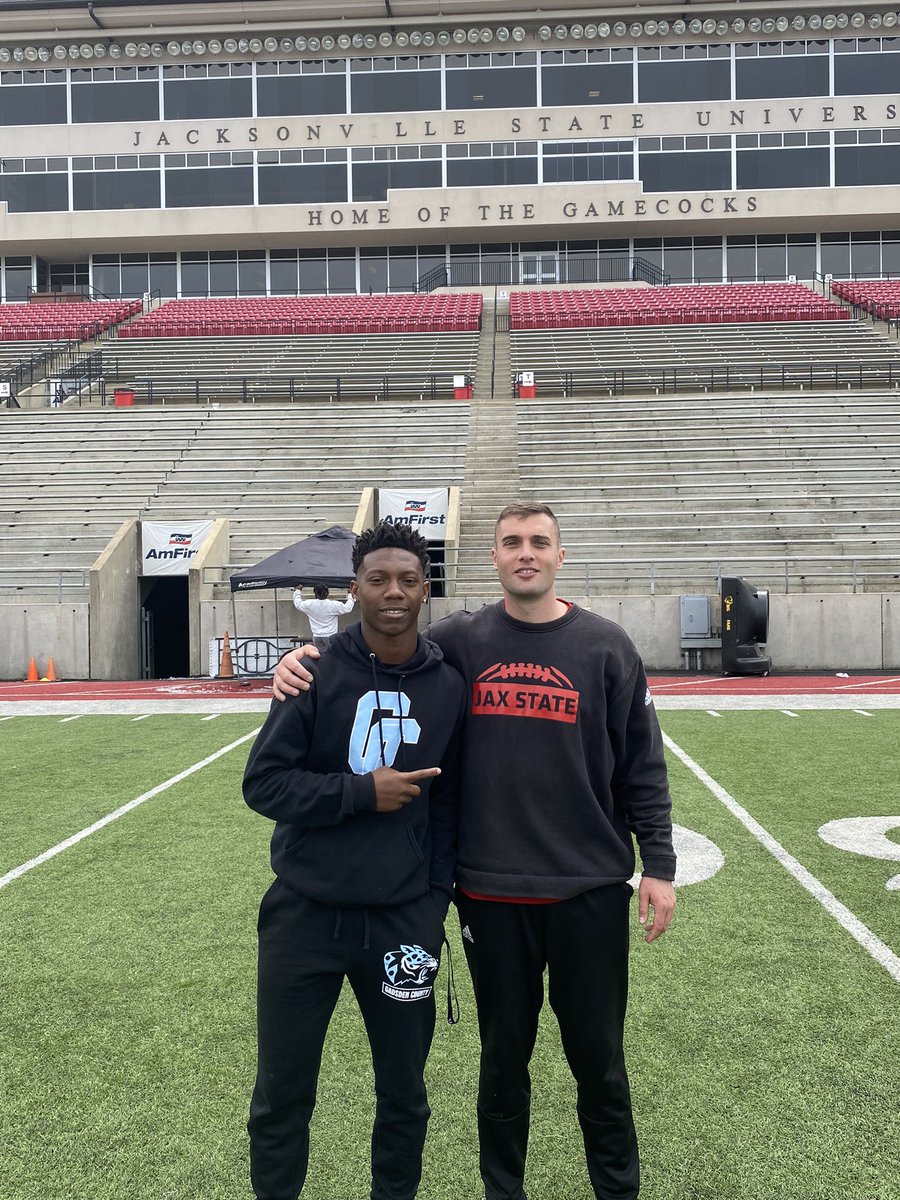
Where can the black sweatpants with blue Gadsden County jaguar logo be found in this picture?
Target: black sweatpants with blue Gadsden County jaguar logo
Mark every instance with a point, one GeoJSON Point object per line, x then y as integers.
{"type": "Point", "coordinates": [391, 958]}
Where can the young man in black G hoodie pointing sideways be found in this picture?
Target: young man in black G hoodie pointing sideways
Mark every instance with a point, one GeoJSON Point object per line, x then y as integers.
{"type": "Point", "coordinates": [361, 776]}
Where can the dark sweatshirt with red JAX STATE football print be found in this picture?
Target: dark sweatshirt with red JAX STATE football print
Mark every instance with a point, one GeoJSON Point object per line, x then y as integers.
{"type": "Point", "coordinates": [563, 758]}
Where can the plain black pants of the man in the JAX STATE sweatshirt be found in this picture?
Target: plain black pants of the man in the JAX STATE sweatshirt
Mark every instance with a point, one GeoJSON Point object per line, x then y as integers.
{"type": "Point", "coordinates": [584, 944]}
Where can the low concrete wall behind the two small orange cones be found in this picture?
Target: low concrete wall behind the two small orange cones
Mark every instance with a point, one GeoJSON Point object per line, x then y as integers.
{"type": "Point", "coordinates": [41, 631]}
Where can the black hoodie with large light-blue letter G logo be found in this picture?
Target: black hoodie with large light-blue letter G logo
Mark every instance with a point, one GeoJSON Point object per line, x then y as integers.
{"type": "Point", "coordinates": [310, 771]}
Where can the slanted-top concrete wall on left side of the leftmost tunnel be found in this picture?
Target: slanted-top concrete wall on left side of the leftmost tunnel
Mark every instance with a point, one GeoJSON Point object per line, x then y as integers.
{"type": "Point", "coordinates": [116, 608]}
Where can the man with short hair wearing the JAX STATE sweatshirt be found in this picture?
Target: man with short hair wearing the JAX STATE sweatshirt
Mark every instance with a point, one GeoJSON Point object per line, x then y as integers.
{"type": "Point", "coordinates": [563, 765]}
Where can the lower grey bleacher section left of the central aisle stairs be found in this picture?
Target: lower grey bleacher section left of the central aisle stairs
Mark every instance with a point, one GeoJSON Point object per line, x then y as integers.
{"type": "Point", "coordinates": [69, 479]}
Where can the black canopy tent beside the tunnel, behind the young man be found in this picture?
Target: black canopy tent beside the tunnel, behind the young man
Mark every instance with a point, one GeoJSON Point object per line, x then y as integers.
{"type": "Point", "coordinates": [325, 557]}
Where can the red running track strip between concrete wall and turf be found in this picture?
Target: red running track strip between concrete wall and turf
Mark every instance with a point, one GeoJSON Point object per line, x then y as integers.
{"type": "Point", "coordinates": [886, 685]}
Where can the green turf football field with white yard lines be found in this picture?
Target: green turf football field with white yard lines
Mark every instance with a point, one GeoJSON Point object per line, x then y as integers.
{"type": "Point", "coordinates": [764, 1033]}
